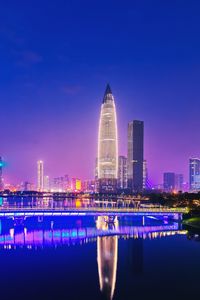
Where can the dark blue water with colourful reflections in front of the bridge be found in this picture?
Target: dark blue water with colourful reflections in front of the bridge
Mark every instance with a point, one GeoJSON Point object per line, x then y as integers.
{"type": "Point", "coordinates": [87, 258]}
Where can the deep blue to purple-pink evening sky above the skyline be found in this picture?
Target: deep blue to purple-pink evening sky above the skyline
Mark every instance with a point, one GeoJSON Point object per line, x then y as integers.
{"type": "Point", "coordinates": [56, 58]}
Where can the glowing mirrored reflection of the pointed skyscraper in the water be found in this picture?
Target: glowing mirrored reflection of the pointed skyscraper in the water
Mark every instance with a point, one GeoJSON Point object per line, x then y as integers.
{"type": "Point", "coordinates": [107, 256]}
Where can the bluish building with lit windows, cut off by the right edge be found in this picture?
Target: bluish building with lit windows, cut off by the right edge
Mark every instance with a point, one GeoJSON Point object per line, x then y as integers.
{"type": "Point", "coordinates": [194, 174]}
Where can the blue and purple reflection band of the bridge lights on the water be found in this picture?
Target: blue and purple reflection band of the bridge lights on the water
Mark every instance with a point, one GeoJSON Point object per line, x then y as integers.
{"type": "Point", "coordinates": [46, 231]}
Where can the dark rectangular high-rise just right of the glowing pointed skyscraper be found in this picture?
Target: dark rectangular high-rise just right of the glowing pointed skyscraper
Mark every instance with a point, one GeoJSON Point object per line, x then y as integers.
{"type": "Point", "coordinates": [135, 155]}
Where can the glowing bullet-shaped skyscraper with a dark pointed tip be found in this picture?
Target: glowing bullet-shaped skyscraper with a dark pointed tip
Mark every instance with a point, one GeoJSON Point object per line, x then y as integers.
{"type": "Point", "coordinates": [108, 144]}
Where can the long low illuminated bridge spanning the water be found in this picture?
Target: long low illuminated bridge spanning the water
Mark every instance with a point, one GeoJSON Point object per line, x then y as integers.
{"type": "Point", "coordinates": [173, 213]}
